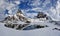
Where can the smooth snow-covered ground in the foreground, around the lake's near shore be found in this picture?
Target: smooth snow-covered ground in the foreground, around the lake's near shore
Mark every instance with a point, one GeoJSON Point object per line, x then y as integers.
{"type": "Point", "coordinates": [47, 31]}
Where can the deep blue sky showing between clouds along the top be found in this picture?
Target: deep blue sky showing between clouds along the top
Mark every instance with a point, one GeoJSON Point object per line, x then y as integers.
{"type": "Point", "coordinates": [30, 4]}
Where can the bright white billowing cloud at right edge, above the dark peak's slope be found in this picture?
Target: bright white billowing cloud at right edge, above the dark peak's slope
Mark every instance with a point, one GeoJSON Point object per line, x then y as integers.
{"type": "Point", "coordinates": [54, 12]}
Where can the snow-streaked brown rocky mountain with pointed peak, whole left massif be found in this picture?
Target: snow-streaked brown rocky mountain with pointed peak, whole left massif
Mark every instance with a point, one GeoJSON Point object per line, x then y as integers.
{"type": "Point", "coordinates": [18, 16]}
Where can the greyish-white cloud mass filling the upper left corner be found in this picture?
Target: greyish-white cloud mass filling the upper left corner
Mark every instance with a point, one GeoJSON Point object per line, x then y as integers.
{"type": "Point", "coordinates": [9, 6]}
